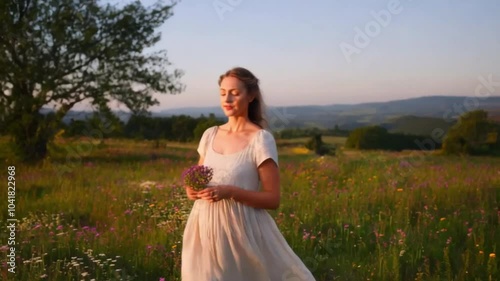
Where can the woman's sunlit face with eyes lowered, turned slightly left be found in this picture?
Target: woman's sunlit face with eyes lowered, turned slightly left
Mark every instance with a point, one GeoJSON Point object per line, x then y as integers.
{"type": "Point", "coordinates": [234, 98]}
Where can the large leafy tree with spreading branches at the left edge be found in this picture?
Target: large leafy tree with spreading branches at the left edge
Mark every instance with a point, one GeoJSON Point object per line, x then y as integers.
{"type": "Point", "coordinates": [62, 52]}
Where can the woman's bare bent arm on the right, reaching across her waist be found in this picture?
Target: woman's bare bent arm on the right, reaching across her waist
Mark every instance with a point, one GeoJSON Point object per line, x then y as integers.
{"type": "Point", "coordinates": [267, 198]}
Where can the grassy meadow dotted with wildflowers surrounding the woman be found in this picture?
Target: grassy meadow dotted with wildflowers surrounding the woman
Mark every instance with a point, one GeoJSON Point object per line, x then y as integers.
{"type": "Point", "coordinates": [116, 210]}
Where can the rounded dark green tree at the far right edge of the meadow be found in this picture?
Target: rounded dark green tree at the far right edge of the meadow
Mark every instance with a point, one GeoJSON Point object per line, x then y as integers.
{"type": "Point", "coordinates": [474, 133]}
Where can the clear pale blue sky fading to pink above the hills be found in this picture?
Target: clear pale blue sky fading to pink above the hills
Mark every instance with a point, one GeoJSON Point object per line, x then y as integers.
{"type": "Point", "coordinates": [332, 51]}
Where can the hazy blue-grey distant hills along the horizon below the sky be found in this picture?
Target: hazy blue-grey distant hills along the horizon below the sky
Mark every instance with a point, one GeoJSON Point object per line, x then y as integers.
{"type": "Point", "coordinates": [415, 115]}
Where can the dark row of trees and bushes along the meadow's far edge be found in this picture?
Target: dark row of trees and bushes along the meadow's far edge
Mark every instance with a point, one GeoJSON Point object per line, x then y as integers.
{"type": "Point", "coordinates": [475, 133]}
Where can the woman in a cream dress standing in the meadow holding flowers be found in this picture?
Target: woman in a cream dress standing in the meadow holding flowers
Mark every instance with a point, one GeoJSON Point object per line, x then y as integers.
{"type": "Point", "coordinates": [229, 235]}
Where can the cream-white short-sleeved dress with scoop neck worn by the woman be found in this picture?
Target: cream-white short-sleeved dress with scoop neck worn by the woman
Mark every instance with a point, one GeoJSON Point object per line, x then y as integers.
{"type": "Point", "coordinates": [229, 241]}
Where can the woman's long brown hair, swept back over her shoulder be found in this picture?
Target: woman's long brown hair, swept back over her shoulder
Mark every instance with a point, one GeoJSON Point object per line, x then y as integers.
{"type": "Point", "coordinates": [256, 108]}
